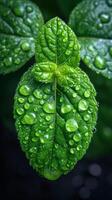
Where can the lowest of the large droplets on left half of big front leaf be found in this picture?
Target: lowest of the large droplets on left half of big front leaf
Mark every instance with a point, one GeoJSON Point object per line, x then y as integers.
{"type": "Point", "coordinates": [29, 119]}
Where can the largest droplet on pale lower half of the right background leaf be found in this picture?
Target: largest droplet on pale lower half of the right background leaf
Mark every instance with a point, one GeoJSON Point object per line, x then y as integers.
{"type": "Point", "coordinates": [99, 62]}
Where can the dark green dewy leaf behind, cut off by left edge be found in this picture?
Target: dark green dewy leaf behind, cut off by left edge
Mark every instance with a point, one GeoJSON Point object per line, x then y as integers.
{"type": "Point", "coordinates": [19, 25]}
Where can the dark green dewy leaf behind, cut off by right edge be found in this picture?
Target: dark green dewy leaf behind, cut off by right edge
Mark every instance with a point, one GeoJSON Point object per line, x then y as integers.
{"type": "Point", "coordinates": [92, 23]}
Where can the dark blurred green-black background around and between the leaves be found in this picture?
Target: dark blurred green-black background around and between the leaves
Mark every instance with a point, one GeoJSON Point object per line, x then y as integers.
{"type": "Point", "coordinates": [92, 177]}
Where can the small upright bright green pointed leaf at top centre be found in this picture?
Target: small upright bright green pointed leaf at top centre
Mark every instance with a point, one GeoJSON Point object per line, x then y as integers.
{"type": "Point", "coordinates": [57, 43]}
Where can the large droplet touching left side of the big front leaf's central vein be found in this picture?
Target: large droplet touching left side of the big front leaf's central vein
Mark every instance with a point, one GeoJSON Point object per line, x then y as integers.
{"type": "Point", "coordinates": [49, 107]}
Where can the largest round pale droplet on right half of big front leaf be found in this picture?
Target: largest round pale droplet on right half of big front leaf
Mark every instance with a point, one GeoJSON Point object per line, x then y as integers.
{"type": "Point", "coordinates": [71, 125]}
